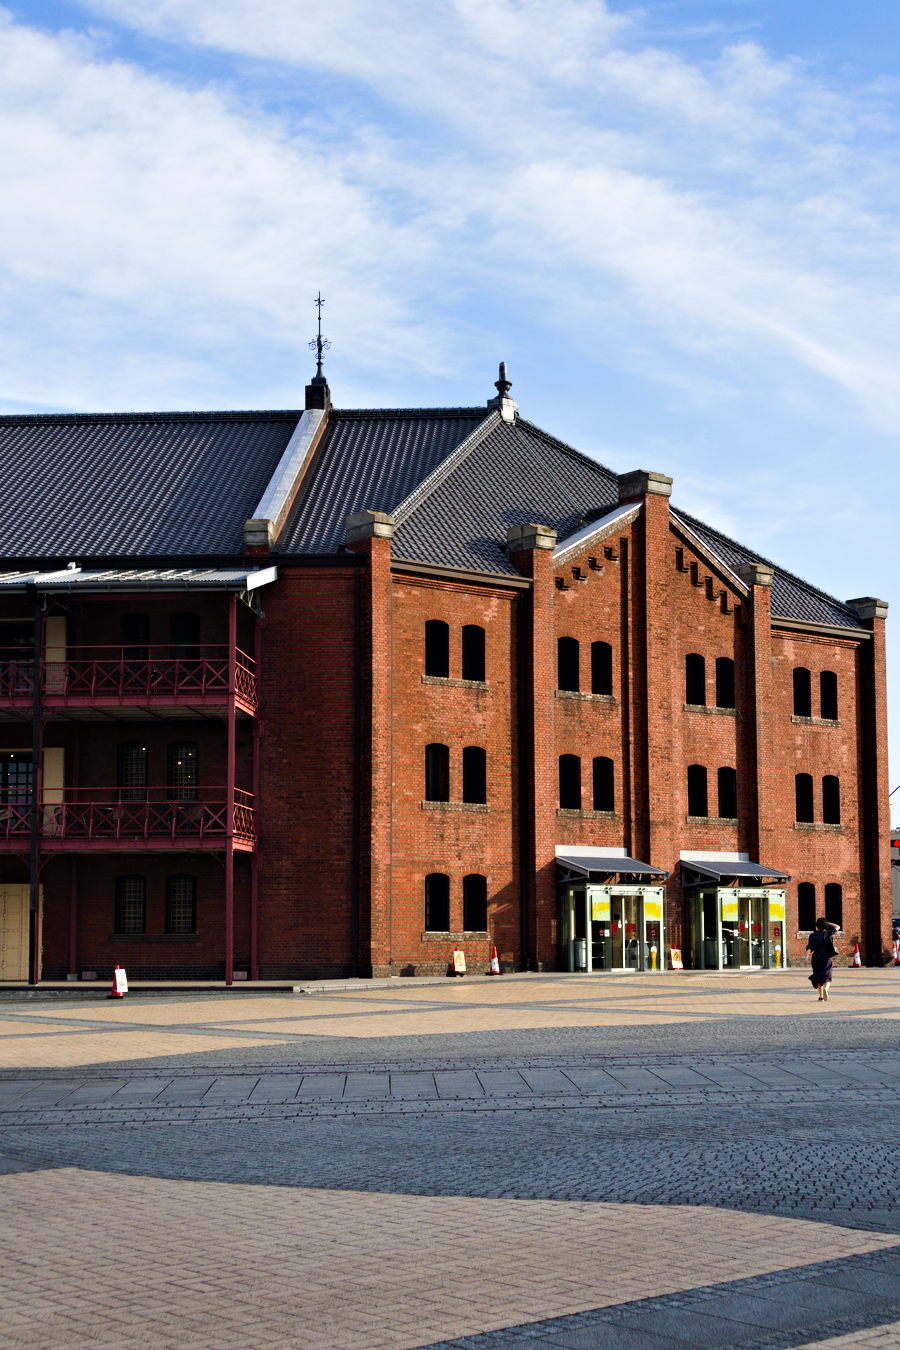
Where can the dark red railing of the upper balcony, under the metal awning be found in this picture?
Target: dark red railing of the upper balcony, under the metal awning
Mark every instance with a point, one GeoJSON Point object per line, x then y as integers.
{"type": "Point", "coordinates": [130, 676]}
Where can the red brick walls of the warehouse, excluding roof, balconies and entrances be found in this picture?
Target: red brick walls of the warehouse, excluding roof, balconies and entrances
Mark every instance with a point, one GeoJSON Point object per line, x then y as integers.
{"type": "Point", "coordinates": [334, 757]}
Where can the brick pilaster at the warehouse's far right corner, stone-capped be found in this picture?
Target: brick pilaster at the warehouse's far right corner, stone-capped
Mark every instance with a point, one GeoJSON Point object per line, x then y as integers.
{"type": "Point", "coordinates": [874, 782]}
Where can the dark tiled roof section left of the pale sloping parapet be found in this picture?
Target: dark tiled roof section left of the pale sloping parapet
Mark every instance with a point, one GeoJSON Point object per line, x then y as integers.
{"type": "Point", "coordinates": [136, 484]}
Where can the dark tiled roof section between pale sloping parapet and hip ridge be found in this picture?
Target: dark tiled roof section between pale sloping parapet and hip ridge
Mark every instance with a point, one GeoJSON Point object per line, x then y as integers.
{"type": "Point", "coordinates": [370, 461]}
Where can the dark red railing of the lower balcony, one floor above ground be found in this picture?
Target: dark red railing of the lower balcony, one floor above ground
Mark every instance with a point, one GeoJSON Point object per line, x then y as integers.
{"type": "Point", "coordinates": [130, 815]}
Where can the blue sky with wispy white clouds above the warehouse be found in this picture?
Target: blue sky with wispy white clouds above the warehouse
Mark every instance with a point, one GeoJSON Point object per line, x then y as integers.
{"type": "Point", "coordinates": [677, 222]}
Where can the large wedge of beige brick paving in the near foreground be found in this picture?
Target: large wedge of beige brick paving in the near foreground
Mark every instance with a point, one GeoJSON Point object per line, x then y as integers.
{"type": "Point", "coordinates": [346, 1271]}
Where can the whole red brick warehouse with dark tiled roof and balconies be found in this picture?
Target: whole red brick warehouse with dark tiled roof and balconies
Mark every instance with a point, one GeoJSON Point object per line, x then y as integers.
{"type": "Point", "coordinates": [335, 692]}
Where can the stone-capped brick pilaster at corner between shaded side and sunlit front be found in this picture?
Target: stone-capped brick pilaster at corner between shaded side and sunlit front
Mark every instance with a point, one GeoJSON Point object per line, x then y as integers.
{"type": "Point", "coordinates": [370, 534]}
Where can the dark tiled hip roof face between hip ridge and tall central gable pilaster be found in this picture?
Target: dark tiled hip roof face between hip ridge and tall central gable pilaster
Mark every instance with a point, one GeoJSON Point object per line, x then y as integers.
{"type": "Point", "coordinates": [513, 475]}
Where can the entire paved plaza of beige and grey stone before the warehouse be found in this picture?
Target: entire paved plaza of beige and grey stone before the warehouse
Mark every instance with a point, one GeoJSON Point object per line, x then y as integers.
{"type": "Point", "coordinates": [535, 1162]}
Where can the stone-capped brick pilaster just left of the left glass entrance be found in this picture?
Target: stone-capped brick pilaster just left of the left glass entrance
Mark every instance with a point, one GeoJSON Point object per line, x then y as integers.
{"type": "Point", "coordinates": [531, 550]}
